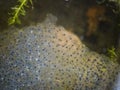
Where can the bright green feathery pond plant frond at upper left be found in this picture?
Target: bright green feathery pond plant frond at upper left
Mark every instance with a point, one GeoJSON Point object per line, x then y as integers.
{"type": "Point", "coordinates": [17, 11]}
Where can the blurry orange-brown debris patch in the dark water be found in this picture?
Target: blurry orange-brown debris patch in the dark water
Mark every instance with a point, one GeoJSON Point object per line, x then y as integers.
{"type": "Point", "coordinates": [95, 14]}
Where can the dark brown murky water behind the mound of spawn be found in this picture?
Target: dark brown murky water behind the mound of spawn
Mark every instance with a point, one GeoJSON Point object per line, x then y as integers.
{"type": "Point", "coordinates": [95, 24]}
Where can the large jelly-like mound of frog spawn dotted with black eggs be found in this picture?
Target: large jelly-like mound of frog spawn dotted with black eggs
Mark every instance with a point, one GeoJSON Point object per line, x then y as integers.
{"type": "Point", "coordinates": [47, 57]}
